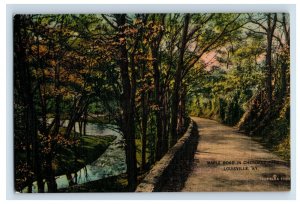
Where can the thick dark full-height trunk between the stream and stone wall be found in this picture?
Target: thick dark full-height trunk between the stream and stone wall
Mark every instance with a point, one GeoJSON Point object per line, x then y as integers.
{"type": "Point", "coordinates": [127, 105]}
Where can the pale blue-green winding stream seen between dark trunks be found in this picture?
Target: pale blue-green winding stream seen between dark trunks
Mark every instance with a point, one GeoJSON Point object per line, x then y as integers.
{"type": "Point", "coordinates": [110, 163]}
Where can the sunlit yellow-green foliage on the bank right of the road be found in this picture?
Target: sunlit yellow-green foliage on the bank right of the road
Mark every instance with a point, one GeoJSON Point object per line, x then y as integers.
{"type": "Point", "coordinates": [233, 89]}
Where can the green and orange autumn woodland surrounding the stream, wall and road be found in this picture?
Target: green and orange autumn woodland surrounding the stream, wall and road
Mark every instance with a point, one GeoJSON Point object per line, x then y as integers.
{"type": "Point", "coordinates": [135, 71]}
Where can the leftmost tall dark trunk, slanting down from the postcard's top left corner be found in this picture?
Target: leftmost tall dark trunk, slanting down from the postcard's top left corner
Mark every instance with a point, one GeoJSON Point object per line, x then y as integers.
{"type": "Point", "coordinates": [24, 77]}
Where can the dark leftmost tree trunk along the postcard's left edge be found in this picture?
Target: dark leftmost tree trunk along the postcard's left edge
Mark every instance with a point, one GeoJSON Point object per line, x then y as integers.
{"type": "Point", "coordinates": [24, 88]}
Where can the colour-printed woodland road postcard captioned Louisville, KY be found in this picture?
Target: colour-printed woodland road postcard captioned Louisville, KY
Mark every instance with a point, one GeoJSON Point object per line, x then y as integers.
{"type": "Point", "coordinates": [151, 102]}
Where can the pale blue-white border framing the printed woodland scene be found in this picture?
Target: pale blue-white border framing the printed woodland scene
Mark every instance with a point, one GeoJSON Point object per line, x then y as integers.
{"type": "Point", "coordinates": [193, 8]}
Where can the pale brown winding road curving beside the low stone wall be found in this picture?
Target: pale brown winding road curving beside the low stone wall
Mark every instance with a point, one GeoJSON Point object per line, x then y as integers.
{"type": "Point", "coordinates": [226, 160]}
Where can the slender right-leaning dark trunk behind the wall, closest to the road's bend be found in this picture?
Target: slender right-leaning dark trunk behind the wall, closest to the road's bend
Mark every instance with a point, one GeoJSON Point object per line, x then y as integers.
{"type": "Point", "coordinates": [177, 83]}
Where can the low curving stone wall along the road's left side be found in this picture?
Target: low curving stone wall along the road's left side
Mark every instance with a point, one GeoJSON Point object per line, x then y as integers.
{"type": "Point", "coordinates": [173, 162]}
